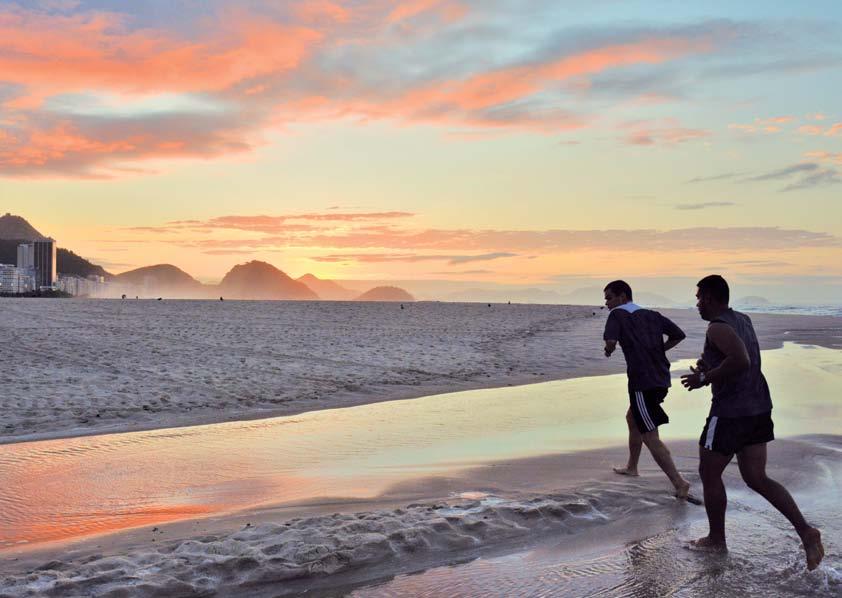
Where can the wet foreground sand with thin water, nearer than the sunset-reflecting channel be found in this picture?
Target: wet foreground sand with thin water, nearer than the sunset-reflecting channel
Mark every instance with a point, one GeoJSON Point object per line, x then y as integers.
{"type": "Point", "coordinates": [539, 515]}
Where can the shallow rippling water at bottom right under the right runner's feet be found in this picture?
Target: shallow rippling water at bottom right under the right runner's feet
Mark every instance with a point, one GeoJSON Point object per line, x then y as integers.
{"type": "Point", "coordinates": [764, 558]}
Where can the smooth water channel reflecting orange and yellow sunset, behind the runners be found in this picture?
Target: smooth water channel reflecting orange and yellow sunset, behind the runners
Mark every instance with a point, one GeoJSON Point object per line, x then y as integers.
{"type": "Point", "coordinates": [72, 488]}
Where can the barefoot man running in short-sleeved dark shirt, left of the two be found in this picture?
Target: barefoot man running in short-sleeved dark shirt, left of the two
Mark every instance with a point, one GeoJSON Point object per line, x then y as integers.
{"type": "Point", "coordinates": [640, 333]}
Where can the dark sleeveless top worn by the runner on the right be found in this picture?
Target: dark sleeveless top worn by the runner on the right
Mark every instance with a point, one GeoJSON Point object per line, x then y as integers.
{"type": "Point", "coordinates": [747, 393]}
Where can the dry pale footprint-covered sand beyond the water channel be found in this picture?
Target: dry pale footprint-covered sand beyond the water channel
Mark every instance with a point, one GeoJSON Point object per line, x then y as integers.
{"type": "Point", "coordinates": [73, 367]}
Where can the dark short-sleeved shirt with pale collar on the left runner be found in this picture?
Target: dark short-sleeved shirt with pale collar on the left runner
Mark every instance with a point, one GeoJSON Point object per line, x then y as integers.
{"type": "Point", "coordinates": [640, 333]}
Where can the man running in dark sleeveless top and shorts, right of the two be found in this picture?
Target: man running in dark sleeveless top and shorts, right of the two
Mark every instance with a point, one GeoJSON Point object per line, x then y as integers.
{"type": "Point", "coordinates": [740, 420]}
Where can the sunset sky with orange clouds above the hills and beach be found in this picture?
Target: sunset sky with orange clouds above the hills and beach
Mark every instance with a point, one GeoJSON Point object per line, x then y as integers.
{"type": "Point", "coordinates": [522, 142]}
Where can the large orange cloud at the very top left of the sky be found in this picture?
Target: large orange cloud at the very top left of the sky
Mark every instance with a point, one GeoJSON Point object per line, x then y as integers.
{"type": "Point", "coordinates": [58, 54]}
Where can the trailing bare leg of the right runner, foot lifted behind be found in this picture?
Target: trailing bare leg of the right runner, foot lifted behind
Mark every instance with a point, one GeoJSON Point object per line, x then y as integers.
{"type": "Point", "coordinates": [752, 461]}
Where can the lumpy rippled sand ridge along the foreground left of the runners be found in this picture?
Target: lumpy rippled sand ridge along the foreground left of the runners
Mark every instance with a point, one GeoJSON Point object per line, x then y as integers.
{"type": "Point", "coordinates": [302, 550]}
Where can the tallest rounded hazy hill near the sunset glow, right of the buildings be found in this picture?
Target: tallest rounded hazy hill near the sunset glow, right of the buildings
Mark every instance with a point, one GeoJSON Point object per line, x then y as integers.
{"type": "Point", "coordinates": [259, 280]}
